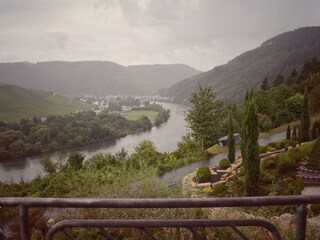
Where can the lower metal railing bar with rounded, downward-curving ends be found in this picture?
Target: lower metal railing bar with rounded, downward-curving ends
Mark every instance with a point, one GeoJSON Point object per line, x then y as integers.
{"type": "Point", "coordinates": [162, 224]}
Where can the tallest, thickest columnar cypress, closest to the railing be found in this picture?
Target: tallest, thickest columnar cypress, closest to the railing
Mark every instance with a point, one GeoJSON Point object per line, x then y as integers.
{"type": "Point", "coordinates": [252, 150]}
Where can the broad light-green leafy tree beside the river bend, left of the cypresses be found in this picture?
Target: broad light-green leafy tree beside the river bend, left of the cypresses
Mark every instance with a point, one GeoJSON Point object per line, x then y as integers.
{"type": "Point", "coordinates": [205, 116]}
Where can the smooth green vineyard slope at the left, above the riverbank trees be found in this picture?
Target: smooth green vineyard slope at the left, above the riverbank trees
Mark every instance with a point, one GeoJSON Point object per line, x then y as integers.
{"type": "Point", "coordinates": [17, 102]}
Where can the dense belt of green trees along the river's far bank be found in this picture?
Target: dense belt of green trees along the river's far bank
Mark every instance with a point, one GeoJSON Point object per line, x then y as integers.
{"type": "Point", "coordinates": [33, 136]}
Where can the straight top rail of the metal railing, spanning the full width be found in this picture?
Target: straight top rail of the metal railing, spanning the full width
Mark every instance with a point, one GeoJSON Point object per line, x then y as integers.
{"type": "Point", "coordinates": [158, 203]}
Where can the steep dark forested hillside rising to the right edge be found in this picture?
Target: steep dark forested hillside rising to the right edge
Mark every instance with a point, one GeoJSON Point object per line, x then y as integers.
{"type": "Point", "coordinates": [280, 54]}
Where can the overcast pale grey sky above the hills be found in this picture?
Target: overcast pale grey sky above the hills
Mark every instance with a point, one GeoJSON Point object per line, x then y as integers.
{"type": "Point", "coordinates": [199, 33]}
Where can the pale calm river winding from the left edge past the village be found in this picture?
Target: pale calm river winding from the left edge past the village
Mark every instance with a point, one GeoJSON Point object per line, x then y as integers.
{"type": "Point", "coordinates": [165, 138]}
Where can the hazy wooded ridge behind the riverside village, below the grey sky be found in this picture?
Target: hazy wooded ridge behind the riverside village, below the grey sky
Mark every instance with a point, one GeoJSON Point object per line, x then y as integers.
{"type": "Point", "coordinates": [97, 78]}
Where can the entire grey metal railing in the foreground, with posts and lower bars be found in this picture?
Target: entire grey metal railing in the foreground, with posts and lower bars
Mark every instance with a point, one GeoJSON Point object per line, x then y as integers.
{"type": "Point", "coordinates": [25, 203]}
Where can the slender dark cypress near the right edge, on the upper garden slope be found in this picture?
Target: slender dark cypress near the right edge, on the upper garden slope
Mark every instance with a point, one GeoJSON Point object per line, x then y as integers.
{"type": "Point", "coordinates": [305, 119]}
